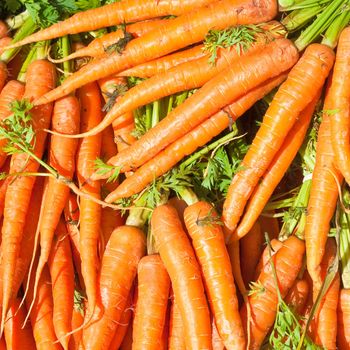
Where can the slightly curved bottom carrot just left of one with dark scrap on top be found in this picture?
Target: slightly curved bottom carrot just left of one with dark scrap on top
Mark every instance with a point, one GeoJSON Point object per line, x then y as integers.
{"type": "Point", "coordinates": [180, 261]}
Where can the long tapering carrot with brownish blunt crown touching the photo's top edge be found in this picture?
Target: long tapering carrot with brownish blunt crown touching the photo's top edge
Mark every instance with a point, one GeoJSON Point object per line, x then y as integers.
{"type": "Point", "coordinates": [218, 15]}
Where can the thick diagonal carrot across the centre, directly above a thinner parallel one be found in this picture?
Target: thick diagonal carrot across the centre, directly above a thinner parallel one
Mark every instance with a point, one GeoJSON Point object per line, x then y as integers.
{"type": "Point", "coordinates": [229, 85]}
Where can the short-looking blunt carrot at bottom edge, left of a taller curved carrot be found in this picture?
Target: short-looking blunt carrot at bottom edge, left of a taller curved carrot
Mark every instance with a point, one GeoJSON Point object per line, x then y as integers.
{"type": "Point", "coordinates": [153, 292]}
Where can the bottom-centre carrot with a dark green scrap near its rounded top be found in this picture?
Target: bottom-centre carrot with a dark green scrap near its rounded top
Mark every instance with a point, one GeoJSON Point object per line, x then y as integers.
{"type": "Point", "coordinates": [209, 245]}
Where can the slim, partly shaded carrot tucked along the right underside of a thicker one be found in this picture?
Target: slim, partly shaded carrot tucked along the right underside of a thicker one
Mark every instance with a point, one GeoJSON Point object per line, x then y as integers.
{"type": "Point", "coordinates": [276, 169]}
